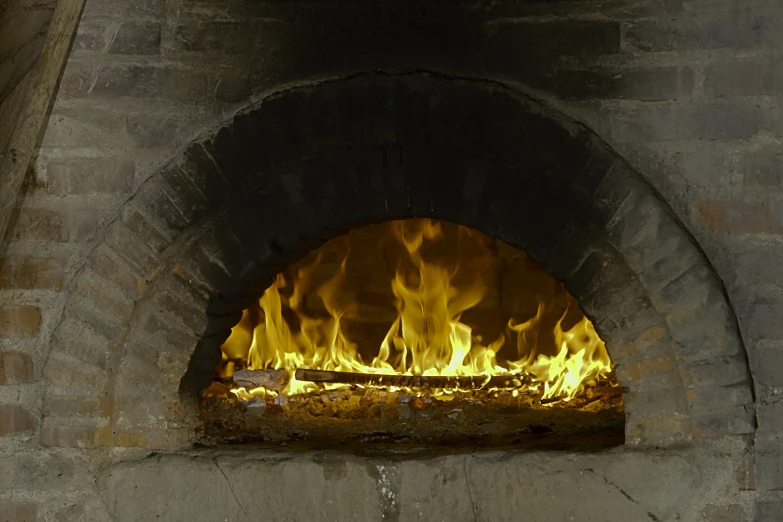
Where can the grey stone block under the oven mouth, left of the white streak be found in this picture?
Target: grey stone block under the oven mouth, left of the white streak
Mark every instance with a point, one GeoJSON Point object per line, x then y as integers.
{"type": "Point", "coordinates": [227, 489]}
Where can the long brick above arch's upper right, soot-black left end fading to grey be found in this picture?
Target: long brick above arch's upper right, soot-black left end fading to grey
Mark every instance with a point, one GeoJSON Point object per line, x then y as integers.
{"type": "Point", "coordinates": [663, 83]}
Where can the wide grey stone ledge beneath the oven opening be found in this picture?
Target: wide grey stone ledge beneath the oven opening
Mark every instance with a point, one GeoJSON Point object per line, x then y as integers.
{"type": "Point", "coordinates": [617, 486]}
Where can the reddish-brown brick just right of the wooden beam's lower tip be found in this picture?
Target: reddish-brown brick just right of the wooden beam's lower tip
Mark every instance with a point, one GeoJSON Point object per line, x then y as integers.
{"type": "Point", "coordinates": [67, 225]}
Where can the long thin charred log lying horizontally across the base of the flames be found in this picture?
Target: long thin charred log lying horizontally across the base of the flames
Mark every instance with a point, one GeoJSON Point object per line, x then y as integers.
{"type": "Point", "coordinates": [413, 381]}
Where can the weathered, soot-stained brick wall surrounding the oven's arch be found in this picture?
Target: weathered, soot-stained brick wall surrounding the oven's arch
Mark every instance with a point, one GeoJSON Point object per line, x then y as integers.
{"type": "Point", "coordinates": [685, 90]}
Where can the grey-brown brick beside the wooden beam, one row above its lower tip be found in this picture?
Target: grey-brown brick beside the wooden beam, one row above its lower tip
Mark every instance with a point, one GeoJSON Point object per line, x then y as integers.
{"type": "Point", "coordinates": [88, 176]}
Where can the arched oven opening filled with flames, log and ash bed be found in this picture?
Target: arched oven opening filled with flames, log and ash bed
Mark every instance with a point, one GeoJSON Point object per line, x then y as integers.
{"type": "Point", "coordinates": [416, 330]}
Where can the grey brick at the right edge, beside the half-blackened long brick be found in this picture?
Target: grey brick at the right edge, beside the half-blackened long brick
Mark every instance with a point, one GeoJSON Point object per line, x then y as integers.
{"type": "Point", "coordinates": [744, 77]}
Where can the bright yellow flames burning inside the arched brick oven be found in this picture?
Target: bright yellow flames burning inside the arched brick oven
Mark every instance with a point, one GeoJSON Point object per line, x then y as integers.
{"type": "Point", "coordinates": [428, 335]}
